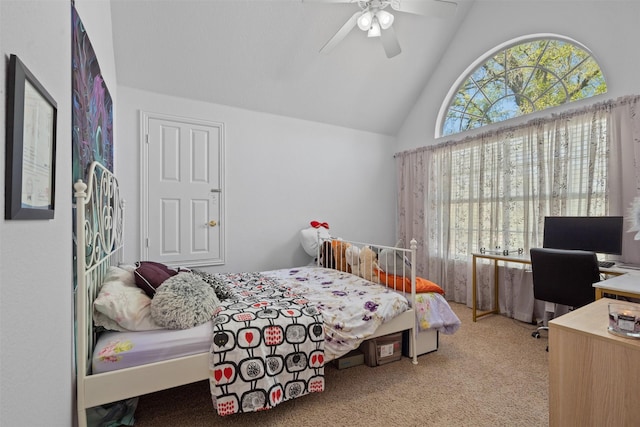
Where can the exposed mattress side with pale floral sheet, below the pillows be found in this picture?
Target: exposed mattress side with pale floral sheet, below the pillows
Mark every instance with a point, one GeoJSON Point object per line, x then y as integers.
{"type": "Point", "coordinates": [119, 350]}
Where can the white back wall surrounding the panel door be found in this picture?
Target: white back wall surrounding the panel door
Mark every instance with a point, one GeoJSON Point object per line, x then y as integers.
{"type": "Point", "coordinates": [281, 173]}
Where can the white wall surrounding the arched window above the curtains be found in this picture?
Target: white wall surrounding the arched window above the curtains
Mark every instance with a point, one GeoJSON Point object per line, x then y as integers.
{"type": "Point", "coordinates": [609, 29]}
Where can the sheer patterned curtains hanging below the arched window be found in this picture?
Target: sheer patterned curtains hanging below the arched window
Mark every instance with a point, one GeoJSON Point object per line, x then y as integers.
{"type": "Point", "coordinates": [494, 190]}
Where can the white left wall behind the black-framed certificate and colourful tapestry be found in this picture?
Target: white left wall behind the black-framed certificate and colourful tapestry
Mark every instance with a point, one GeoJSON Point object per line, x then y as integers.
{"type": "Point", "coordinates": [36, 279]}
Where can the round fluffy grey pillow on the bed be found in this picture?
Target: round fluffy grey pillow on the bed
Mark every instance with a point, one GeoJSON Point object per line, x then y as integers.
{"type": "Point", "coordinates": [184, 301]}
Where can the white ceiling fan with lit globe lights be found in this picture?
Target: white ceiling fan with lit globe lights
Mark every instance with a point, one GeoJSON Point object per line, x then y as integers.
{"type": "Point", "coordinates": [376, 21]}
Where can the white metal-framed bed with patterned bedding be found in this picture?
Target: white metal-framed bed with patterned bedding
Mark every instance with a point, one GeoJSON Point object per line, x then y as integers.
{"type": "Point", "coordinates": [202, 355]}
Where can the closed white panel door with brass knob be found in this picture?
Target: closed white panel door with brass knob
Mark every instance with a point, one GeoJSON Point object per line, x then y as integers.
{"type": "Point", "coordinates": [183, 204]}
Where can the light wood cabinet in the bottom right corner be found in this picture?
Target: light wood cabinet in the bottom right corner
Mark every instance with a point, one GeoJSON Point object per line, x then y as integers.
{"type": "Point", "coordinates": [593, 374]}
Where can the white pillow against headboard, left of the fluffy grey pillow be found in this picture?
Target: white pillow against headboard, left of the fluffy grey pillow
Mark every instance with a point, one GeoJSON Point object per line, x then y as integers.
{"type": "Point", "coordinates": [121, 305]}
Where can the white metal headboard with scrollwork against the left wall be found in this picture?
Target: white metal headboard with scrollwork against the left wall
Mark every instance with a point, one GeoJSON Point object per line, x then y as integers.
{"type": "Point", "coordinates": [99, 234]}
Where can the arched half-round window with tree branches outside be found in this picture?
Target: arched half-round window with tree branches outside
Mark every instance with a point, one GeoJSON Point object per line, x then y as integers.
{"type": "Point", "coordinates": [518, 78]}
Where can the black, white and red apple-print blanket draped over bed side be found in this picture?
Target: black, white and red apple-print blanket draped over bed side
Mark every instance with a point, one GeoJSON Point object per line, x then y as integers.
{"type": "Point", "coordinates": [268, 345]}
